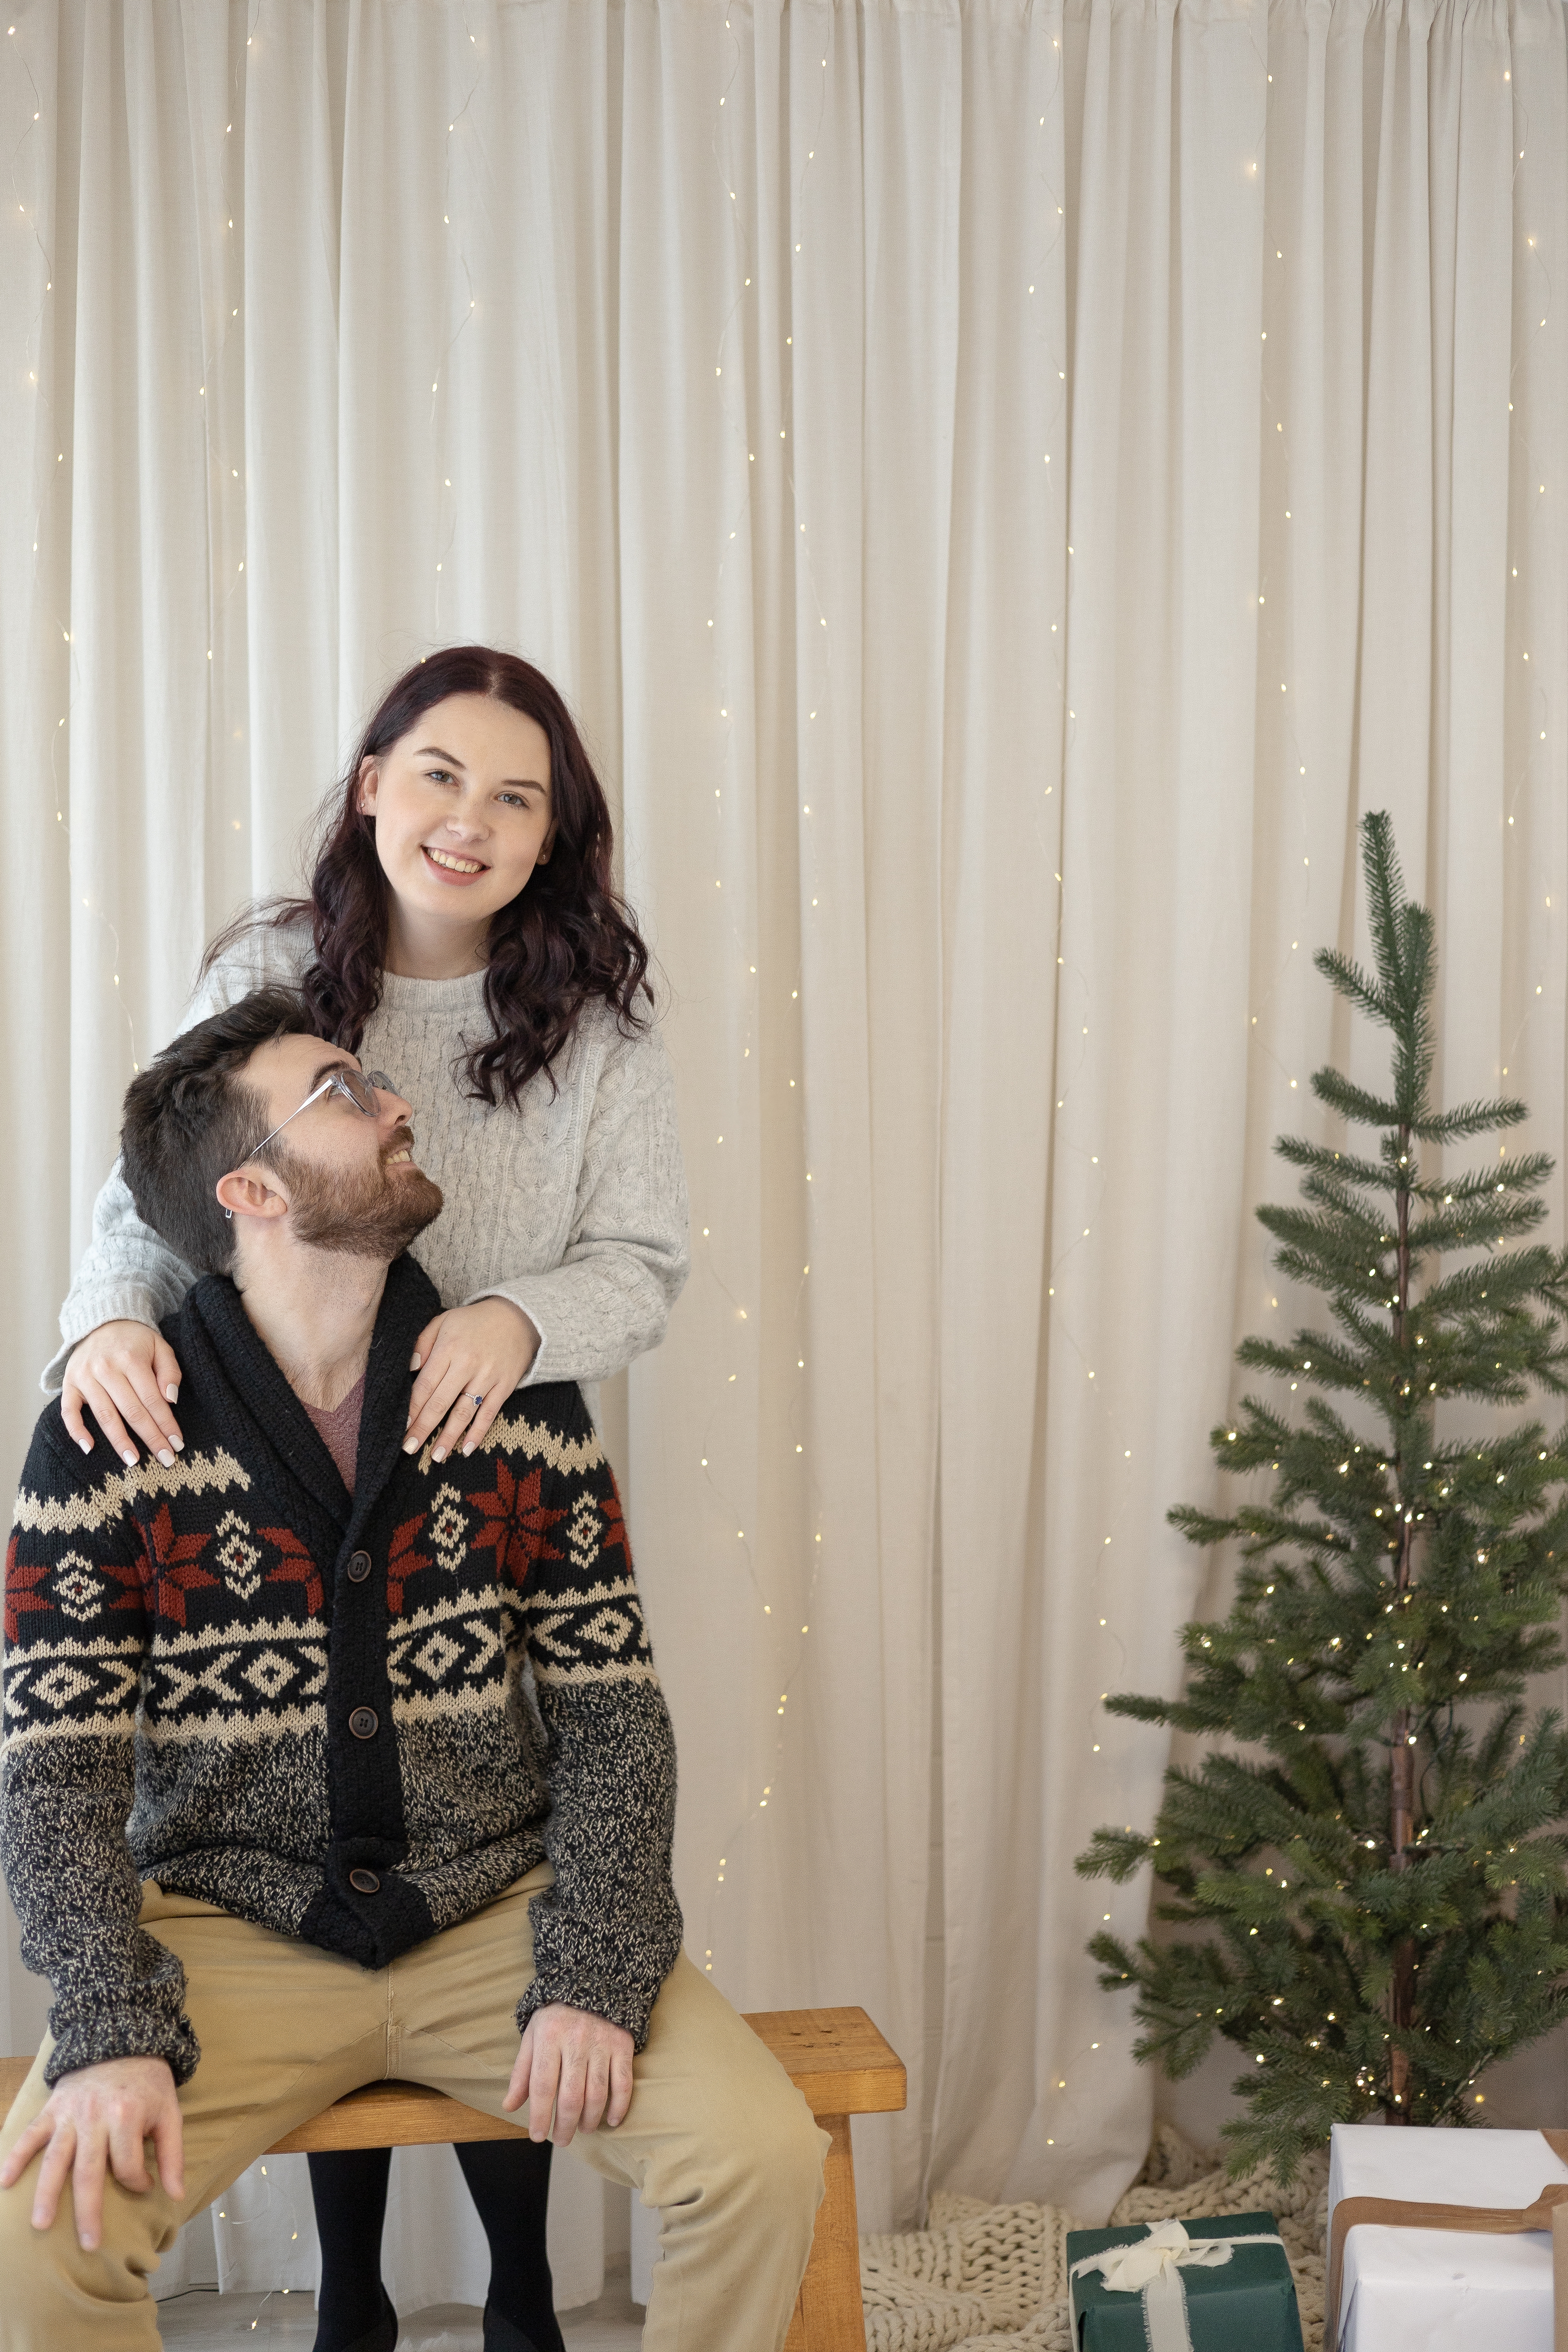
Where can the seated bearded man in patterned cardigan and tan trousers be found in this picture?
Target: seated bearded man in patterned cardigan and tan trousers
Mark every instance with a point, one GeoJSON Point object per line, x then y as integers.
{"type": "Point", "coordinates": [279, 1812]}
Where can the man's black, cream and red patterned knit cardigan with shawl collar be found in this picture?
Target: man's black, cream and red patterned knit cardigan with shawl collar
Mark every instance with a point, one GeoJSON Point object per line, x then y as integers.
{"type": "Point", "coordinates": [311, 1709]}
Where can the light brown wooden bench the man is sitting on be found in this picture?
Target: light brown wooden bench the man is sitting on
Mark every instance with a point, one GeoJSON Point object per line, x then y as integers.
{"type": "Point", "coordinates": [836, 2057]}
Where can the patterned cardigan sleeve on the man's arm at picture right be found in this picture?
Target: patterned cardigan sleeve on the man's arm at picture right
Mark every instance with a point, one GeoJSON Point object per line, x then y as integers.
{"type": "Point", "coordinates": [610, 1930]}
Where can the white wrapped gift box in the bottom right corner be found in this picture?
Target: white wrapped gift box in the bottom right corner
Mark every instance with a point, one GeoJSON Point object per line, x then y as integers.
{"type": "Point", "coordinates": [1421, 2290]}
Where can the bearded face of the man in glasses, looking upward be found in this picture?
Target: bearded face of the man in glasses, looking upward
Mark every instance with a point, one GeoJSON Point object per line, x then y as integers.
{"type": "Point", "coordinates": [351, 1182]}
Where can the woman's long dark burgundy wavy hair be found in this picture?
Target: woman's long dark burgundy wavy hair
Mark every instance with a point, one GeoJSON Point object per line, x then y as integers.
{"type": "Point", "coordinates": [563, 940]}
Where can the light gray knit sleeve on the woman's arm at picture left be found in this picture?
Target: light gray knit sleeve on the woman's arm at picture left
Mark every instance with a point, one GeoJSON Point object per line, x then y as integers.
{"type": "Point", "coordinates": [128, 1271]}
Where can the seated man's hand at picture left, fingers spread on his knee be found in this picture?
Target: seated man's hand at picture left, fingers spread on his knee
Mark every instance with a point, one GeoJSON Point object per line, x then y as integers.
{"type": "Point", "coordinates": [100, 2118]}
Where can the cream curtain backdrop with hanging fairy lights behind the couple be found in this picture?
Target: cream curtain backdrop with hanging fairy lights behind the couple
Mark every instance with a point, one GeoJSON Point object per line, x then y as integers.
{"type": "Point", "coordinates": [1005, 488]}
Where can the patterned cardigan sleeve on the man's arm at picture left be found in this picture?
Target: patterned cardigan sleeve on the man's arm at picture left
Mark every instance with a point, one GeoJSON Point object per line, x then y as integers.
{"type": "Point", "coordinates": [76, 1633]}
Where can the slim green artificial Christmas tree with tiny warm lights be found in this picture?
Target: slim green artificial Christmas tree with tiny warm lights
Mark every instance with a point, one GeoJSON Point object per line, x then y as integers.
{"type": "Point", "coordinates": [1372, 1892]}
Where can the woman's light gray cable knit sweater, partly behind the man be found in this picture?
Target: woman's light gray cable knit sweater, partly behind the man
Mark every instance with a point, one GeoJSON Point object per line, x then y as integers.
{"type": "Point", "coordinates": [572, 1205]}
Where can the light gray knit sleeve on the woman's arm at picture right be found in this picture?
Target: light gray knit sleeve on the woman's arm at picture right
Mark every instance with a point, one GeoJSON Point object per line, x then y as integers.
{"type": "Point", "coordinates": [629, 1252]}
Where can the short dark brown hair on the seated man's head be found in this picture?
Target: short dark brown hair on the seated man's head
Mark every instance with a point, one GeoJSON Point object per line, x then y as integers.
{"type": "Point", "coordinates": [192, 1118]}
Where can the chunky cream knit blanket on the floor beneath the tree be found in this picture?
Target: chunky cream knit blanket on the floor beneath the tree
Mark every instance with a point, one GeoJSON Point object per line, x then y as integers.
{"type": "Point", "coordinates": [986, 2278]}
